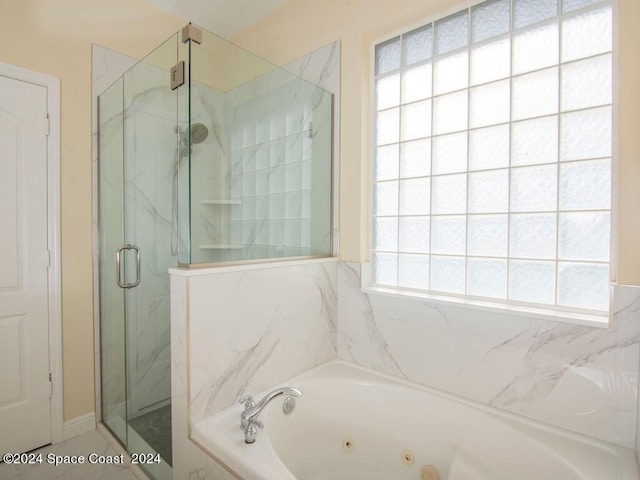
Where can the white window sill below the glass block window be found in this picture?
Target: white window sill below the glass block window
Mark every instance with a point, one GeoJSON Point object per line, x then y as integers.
{"type": "Point", "coordinates": [550, 314]}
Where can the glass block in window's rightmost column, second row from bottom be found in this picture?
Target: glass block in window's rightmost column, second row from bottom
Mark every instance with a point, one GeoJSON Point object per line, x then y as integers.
{"type": "Point", "coordinates": [584, 236]}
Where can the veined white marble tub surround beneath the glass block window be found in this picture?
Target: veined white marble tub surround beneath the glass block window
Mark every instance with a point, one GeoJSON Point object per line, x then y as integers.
{"type": "Point", "coordinates": [577, 377]}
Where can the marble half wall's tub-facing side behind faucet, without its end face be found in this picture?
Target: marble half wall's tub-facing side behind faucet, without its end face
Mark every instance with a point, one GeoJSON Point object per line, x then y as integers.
{"type": "Point", "coordinates": [250, 330]}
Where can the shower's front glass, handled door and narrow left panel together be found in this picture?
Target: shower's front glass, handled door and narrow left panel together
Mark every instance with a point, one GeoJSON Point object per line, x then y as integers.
{"type": "Point", "coordinates": [138, 237]}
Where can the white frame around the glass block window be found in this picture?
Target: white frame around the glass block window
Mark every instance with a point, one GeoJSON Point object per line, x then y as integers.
{"type": "Point", "coordinates": [502, 306]}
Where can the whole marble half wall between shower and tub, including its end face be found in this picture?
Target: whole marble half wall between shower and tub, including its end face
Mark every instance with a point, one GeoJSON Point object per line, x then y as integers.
{"type": "Point", "coordinates": [239, 330]}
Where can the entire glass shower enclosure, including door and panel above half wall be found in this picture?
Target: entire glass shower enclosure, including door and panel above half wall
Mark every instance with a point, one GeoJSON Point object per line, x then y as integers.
{"type": "Point", "coordinates": [207, 154]}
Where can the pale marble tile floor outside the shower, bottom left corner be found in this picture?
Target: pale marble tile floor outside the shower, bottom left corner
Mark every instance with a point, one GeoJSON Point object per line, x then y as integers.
{"type": "Point", "coordinates": [91, 442]}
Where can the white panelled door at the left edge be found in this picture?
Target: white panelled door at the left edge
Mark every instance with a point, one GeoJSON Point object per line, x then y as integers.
{"type": "Point", "coordinates": [25, 389]}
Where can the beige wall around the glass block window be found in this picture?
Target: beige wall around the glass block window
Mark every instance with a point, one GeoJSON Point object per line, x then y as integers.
{"type": "Point", "coordinates": [304, 25]}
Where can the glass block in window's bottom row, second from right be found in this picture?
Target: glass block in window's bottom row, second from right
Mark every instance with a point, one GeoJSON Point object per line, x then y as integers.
{"type": "Point", "coordinates": [532, 282]}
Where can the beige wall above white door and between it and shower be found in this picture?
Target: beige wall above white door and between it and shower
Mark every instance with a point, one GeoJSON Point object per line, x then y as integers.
{"type": "Point", "coordinates": [55, 37]}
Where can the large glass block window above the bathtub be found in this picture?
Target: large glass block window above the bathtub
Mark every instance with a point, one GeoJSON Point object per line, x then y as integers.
{"type": "Point", "coordinates": [492, 168]}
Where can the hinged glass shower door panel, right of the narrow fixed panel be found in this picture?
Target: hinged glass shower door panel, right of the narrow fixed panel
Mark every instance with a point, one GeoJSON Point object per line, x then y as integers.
{"type": "Point", "coordinates": [155, 152]}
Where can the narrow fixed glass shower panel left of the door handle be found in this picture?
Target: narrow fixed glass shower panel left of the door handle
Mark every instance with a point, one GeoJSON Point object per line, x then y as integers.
{"type": "Point", "coordinates": [111, 223]}
